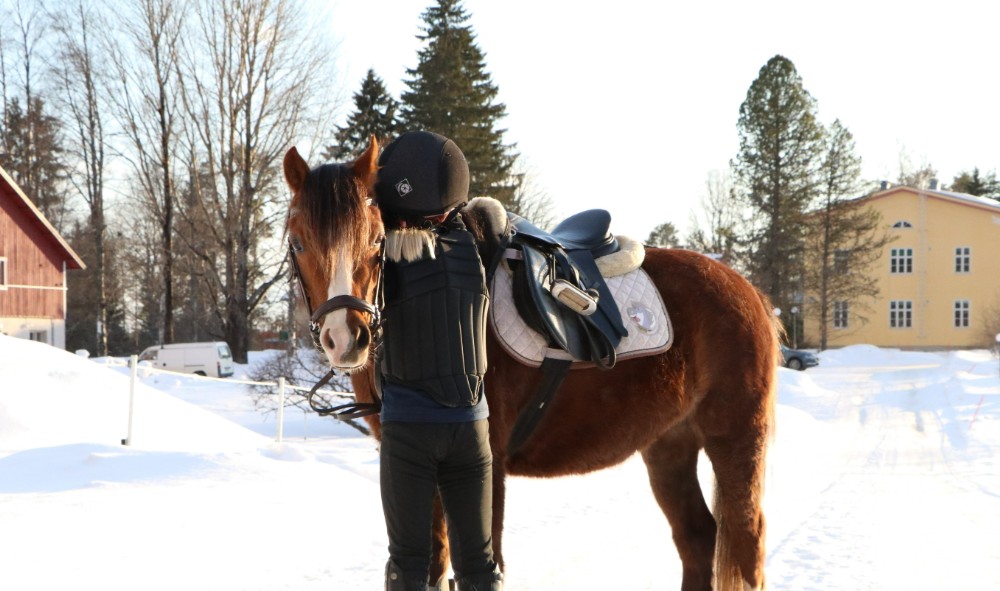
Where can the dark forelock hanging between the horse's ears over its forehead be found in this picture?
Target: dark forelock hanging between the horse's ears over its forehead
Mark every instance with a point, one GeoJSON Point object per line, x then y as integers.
{"type": "Point", "coordinates": [333, 210]}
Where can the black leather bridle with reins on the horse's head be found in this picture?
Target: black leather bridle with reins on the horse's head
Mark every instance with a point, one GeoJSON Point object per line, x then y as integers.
{"type": "Point", "coordinates": [373, 309]}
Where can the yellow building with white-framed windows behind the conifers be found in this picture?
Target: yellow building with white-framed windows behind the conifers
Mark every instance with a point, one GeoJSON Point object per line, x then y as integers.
{"type": "Point", "coordinates": [938, 280]}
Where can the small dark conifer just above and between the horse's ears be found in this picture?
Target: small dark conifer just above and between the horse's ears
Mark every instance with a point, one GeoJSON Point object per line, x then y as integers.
{"type": "Point", "coordinates": [375, 113]}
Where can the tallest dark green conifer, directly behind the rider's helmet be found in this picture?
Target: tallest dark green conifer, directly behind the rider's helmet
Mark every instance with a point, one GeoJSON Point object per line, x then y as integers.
{"type": "Point", "coordinates": [451, 93]}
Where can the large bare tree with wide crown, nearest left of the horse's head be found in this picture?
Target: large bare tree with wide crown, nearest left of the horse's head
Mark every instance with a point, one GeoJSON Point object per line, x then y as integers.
{"type": "Point", "coordinates": [252, 75]}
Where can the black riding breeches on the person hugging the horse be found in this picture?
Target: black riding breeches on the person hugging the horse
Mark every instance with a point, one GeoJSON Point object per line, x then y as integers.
{"type": "Point", "coordinates": [419, 459]}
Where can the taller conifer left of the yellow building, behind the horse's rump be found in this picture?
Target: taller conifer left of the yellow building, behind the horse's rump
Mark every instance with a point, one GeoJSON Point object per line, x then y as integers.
{"type": "Point", "coordinates": [776, 176]}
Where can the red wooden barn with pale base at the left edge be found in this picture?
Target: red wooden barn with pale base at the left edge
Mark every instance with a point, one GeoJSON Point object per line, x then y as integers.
{"type": "Point", "coordinates": [34, 261]}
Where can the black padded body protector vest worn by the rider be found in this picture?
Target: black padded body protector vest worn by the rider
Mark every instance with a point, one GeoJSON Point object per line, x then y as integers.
{"type": "Point", "coordinates": [434, 336]}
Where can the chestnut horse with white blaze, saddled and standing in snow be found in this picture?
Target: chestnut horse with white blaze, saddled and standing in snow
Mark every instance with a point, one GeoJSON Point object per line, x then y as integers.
{"type": "Point", "coordinates": [714, 389]}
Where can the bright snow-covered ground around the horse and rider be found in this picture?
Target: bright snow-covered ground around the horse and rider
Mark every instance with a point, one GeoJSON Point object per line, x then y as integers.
{"type": "Point", "coordinates": [883, 476]}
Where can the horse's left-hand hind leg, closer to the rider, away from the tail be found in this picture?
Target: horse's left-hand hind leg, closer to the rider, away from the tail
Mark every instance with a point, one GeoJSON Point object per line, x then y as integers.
{"type": "Point", "coordinates": [672, 463]}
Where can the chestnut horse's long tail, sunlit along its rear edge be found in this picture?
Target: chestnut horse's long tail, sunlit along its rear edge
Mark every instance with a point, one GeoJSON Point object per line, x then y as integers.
{"type": "Point", "coordinates": [729, 549]}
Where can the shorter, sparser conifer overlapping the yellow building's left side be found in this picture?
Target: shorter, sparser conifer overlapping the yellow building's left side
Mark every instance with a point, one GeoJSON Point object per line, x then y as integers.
{"type": "Point", "coordinates": [845, 235]}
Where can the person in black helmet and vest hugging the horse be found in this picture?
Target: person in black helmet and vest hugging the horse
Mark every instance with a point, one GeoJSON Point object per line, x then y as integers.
{"type": "Point", "coordinates": [435, 434]}
